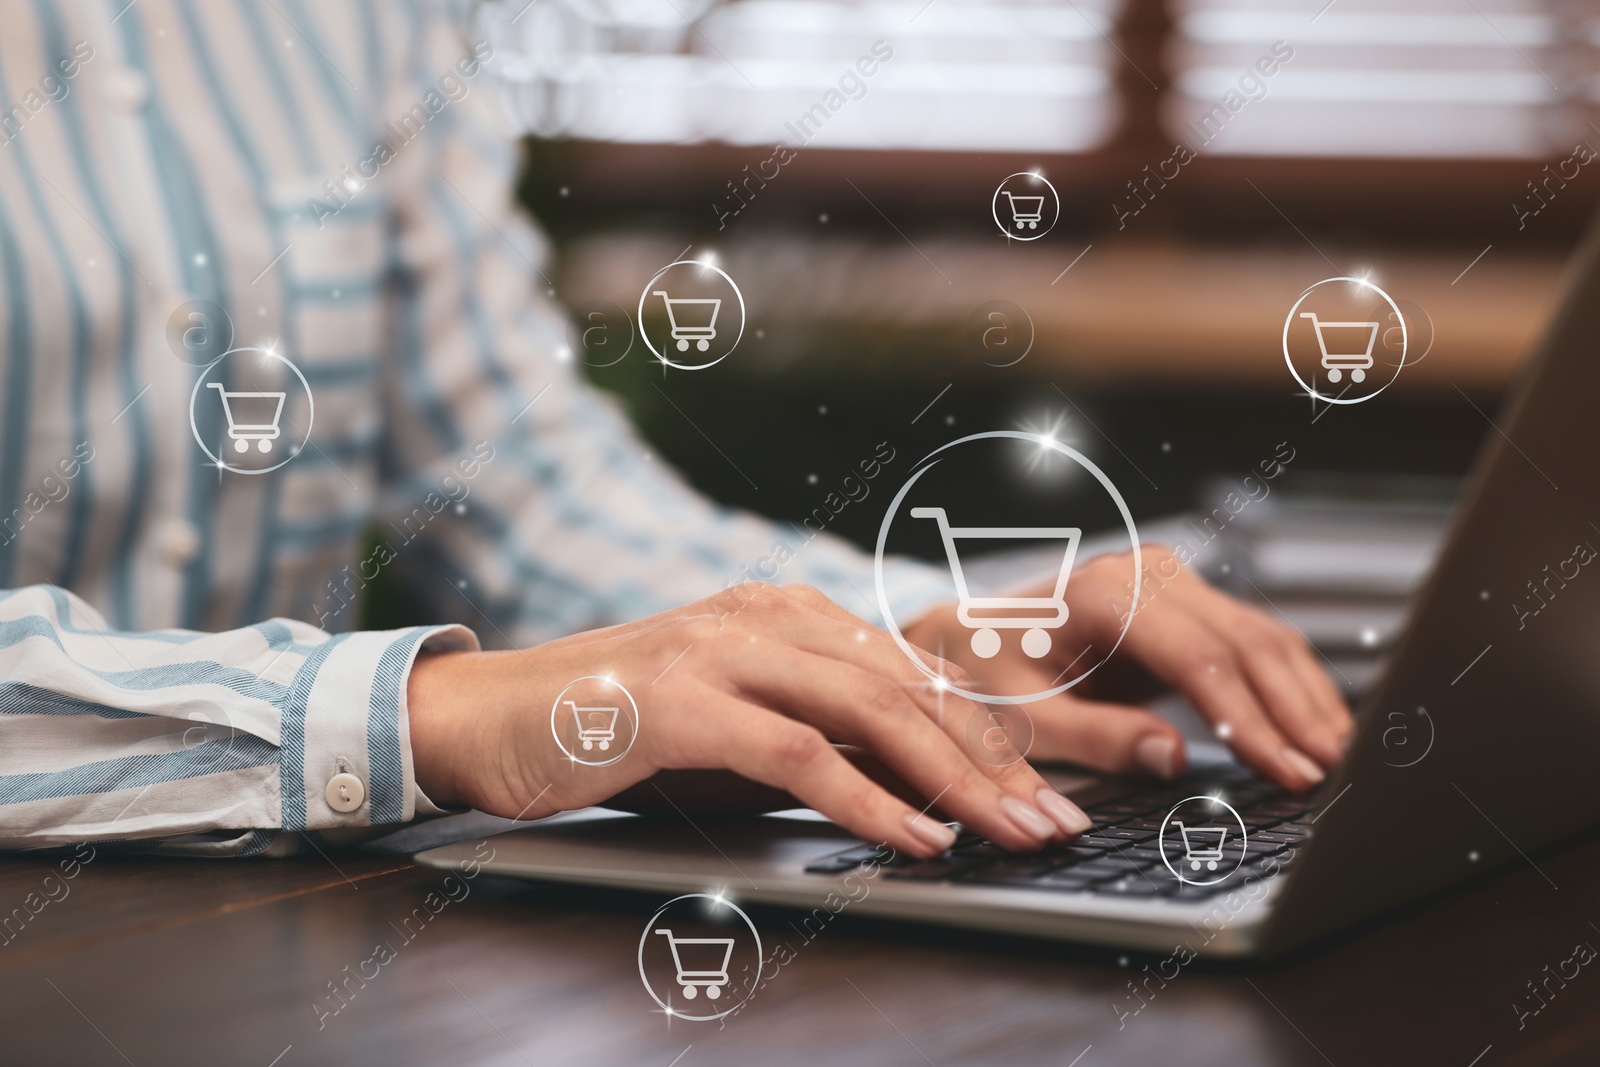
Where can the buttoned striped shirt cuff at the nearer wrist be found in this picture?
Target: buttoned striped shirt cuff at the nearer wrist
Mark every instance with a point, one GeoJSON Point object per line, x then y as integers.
{"type": "Point", "coordinates": [351, 762]}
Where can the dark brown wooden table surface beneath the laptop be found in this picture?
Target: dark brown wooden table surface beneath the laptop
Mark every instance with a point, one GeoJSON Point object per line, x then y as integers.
{"type": "Point", "coordinates": [222, 962]}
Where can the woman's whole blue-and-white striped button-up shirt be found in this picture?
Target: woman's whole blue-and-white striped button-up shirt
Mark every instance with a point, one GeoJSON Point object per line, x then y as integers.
{"type": "Point", "coordinates": [178, 669]}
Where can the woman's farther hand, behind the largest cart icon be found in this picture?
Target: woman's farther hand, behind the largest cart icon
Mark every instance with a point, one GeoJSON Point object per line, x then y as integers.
{"type": "Point", "coordinates": [1254, 677]}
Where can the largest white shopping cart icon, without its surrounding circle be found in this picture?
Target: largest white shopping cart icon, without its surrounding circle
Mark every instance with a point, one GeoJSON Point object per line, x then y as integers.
{"type": "Point", "coordinates": [988, 615]}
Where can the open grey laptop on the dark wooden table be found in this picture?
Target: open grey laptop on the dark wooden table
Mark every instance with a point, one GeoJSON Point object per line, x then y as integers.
{"type": "Point", "coordinates": [1494, 685]}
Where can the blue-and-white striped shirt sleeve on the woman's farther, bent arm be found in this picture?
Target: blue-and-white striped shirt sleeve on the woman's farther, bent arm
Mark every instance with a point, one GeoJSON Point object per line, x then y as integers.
{"type": "Point", "coordinates": [569, 522]}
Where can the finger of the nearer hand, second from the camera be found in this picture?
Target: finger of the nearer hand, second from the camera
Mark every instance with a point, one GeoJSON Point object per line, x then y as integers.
{"type": "Point", "coordinates": [871, 711]}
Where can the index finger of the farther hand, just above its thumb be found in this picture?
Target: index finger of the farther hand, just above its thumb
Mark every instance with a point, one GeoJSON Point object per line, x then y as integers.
{"type": "Point", "coordinates": [1191, 658]}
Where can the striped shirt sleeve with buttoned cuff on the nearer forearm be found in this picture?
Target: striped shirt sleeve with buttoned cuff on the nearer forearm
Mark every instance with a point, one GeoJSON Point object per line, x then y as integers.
{"type": "Point", "coordinates": [222, 745]}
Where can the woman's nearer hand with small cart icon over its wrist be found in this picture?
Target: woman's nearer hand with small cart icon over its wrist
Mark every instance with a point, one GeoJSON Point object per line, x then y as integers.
{"type": "Point", "coordinates": [761, 681]}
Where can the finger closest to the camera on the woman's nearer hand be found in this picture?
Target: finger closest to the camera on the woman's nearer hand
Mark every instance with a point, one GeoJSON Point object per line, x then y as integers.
{"type": "Point", "coordinates": [785, 754]}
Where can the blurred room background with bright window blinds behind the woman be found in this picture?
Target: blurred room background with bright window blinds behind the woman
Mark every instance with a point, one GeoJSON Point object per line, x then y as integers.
{"type": "Point", "coordinates": [1434, 146]}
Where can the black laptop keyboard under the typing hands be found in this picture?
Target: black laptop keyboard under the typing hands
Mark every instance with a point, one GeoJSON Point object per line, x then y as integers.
{"type": "Point", "coordinates": [1121, 857]}
